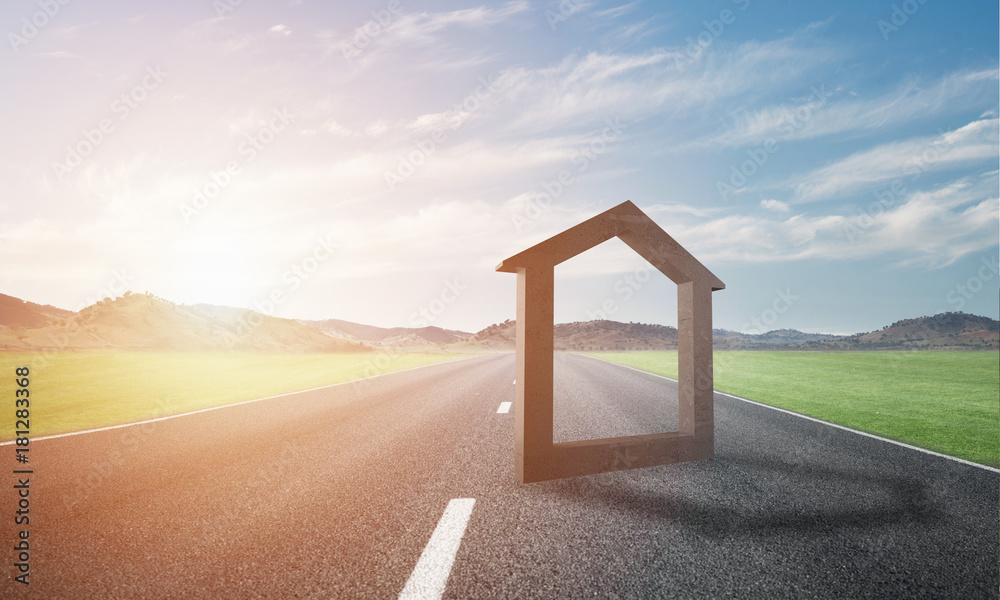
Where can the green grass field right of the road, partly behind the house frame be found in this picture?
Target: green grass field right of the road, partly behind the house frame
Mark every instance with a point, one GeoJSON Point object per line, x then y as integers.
{"type": "Point", "coordinates": [948, 402]}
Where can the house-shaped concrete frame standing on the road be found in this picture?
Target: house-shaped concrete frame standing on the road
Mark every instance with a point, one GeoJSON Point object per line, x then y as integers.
{"type": "Point", "coordinates": [537, 457]}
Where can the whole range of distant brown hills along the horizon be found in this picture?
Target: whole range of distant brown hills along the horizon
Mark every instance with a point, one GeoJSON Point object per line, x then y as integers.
{"type": "Point", "coordinates": [144, 321]}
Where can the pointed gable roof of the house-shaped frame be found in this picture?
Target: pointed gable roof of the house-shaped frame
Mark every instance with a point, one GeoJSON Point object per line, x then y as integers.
{"type": "Point", "coordinates": [633, 227]}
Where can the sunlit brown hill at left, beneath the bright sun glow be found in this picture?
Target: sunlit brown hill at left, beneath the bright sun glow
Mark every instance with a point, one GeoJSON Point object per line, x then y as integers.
{"type": "Point", "coordinates": [145, 322]}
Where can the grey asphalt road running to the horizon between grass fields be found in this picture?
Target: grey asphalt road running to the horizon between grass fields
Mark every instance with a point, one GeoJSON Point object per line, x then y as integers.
{"type": "Point", "coordinates": [334, 493]}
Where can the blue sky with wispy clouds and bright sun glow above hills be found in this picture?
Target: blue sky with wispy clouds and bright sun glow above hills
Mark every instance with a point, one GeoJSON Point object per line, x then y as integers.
{"type": "Point", "coordinates": [834, 163]}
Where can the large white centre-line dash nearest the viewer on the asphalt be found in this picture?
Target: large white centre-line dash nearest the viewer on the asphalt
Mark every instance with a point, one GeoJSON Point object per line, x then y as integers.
{"type": "Point", "coordinates": [430, 576]}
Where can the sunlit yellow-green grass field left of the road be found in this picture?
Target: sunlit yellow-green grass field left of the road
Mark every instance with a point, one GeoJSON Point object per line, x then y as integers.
{"type": "Point", "coordinates": [74, 391]}
